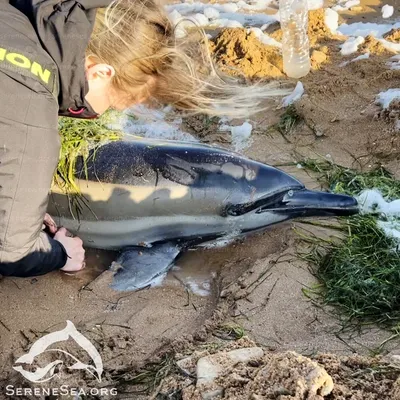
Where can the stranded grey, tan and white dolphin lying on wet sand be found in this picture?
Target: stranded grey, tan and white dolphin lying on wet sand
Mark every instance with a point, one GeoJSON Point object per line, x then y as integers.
{"type": "Point", "coordinates": [153, 199]}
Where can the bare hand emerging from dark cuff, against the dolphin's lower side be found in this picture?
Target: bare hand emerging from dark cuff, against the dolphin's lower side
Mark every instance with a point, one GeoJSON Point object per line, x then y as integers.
{"type": "Point", "coordinates": [74, 248]}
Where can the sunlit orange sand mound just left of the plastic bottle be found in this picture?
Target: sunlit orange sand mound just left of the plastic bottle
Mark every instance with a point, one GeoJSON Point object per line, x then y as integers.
{"type": "Point", "coordinates": [240, 53]}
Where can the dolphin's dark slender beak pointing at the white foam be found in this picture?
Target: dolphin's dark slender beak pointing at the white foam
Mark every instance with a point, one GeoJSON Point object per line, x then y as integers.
{"type": "Point", "coordinates": [312, 203]}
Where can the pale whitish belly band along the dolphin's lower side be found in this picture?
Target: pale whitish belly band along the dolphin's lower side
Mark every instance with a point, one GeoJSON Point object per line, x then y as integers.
{"type": "Point", "coordinates": [117, 234]}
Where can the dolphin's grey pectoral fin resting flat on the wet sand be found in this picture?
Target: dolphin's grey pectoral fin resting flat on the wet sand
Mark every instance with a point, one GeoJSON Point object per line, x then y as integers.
{"type": "Point", "coordinates": [138, 267]}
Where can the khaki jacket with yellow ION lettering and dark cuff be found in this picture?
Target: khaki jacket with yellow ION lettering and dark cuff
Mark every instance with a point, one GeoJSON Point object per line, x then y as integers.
{"type": "Point", "coordinates": [42, 75]}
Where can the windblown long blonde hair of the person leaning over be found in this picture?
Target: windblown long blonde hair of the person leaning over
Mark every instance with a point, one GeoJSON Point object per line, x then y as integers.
{"type": "Point", "coordinates": [137, 38]}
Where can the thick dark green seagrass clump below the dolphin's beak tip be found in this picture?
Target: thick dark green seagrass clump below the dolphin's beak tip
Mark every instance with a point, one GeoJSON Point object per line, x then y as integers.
{"type": "Point", "coordinates": [361, 275]}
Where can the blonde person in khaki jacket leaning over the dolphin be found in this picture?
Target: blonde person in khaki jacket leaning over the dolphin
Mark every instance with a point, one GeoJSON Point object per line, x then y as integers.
{"type": "Point", "coordinates": [77, 59]}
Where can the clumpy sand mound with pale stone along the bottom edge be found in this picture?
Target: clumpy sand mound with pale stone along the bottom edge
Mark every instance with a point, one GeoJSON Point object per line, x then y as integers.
{"type": "Point", "coordinates": [249, 372]}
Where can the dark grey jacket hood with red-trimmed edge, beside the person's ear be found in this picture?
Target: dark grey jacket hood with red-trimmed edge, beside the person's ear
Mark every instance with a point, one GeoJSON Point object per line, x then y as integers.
{"type": "Point", "coordinates": [64, 29]}
